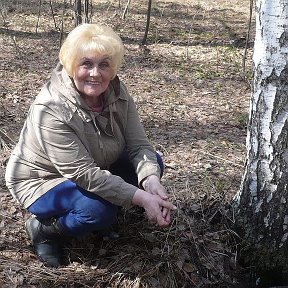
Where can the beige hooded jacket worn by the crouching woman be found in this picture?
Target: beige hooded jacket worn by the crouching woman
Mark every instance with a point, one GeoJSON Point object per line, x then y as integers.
{"type": "Point", "coordinates": [61, 139]}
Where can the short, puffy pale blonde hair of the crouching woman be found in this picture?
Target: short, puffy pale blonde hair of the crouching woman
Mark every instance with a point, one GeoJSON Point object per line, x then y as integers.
{"type": "Point", "coordinates": [91, 38]}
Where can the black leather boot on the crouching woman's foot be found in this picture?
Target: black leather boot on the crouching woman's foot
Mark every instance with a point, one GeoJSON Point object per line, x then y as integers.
{"type": "Point", "coordinates": [45, 236]}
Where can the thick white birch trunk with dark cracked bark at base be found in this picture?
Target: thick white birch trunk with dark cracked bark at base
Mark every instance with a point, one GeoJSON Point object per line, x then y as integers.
{"type": "Point", "coordinates": [262, 202]}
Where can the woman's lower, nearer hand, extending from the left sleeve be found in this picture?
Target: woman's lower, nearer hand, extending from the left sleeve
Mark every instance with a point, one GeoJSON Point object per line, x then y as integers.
{"type": "Point", "coordinates": [154, 207]}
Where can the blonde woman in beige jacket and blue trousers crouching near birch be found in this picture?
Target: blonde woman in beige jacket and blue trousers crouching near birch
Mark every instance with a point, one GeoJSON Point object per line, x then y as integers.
{"type": "Point", "coordinates": [81, 134]}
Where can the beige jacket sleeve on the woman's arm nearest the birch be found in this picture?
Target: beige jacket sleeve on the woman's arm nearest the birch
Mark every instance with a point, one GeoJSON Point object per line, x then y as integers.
{"type": "Point", "coordinates": [140, 150]}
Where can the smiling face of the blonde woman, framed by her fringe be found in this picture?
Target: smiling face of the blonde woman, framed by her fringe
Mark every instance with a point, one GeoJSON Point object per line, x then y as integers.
{"type": "Point", "coordinates": [92, 75]}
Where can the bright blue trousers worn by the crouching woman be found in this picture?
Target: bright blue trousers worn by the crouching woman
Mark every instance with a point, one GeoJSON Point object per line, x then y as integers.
{"type": "Point", "coordinates": [79, 211]}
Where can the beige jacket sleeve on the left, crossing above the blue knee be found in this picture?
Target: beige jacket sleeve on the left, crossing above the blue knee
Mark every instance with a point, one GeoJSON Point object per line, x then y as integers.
{"type": "Point", "coordinates": [69, 156]}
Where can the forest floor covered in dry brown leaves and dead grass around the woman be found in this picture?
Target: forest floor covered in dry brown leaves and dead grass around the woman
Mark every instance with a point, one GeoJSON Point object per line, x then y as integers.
{"type": "Point", "coordinates": [193, 97]}
